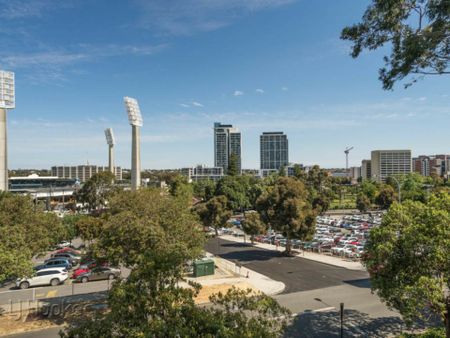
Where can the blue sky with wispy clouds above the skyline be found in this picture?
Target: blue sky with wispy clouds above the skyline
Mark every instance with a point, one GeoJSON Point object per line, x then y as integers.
{"type": "Point", "coordinates": [261, 65]}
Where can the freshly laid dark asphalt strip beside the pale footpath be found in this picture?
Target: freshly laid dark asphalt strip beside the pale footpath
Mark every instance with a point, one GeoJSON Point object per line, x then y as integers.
{"type": "Point", "coordinates": [298, 274]}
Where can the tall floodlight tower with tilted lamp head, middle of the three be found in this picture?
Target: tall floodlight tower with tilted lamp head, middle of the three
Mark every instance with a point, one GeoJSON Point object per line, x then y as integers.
{"type": "Point", "coordinates": [135, 118]}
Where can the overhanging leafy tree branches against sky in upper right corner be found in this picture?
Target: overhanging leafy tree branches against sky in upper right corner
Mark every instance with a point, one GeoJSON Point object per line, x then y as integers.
{"type": "Point", "coordinates": [416, 30]}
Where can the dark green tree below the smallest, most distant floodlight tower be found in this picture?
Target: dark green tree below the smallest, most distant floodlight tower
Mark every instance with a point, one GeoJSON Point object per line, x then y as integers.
{"type": "Point", "coordinates": [95, 191]}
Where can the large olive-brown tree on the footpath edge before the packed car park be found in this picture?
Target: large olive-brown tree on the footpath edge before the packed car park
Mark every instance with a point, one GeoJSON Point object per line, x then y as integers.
{"type": "Point", "coordinates": [287, 209]}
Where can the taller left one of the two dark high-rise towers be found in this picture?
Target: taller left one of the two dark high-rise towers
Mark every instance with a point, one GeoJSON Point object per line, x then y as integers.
{"type": "Point", "coordinates": [227, 141]}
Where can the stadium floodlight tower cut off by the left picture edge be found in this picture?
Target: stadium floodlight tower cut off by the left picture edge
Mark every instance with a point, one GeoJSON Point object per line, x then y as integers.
{"type": "Point", "coordinates": [7, 101]}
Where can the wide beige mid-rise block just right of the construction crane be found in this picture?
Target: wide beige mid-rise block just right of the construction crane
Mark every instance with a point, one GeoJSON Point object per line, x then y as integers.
{"type": "Point", "coordinates": [385, 163]}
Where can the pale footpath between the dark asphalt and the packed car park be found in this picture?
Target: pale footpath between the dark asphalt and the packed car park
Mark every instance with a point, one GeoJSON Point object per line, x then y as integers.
{"type": "Point", "coordinates": [322, 258]}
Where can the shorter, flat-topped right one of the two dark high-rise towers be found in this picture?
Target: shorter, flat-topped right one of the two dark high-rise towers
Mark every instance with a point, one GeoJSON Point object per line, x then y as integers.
{"type": "Point", "coordinates": [274, 152]}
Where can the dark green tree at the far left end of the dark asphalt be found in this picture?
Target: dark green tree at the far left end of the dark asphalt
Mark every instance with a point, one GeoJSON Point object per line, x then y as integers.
{"type": "Point", "coordinates": [215, 212]}
